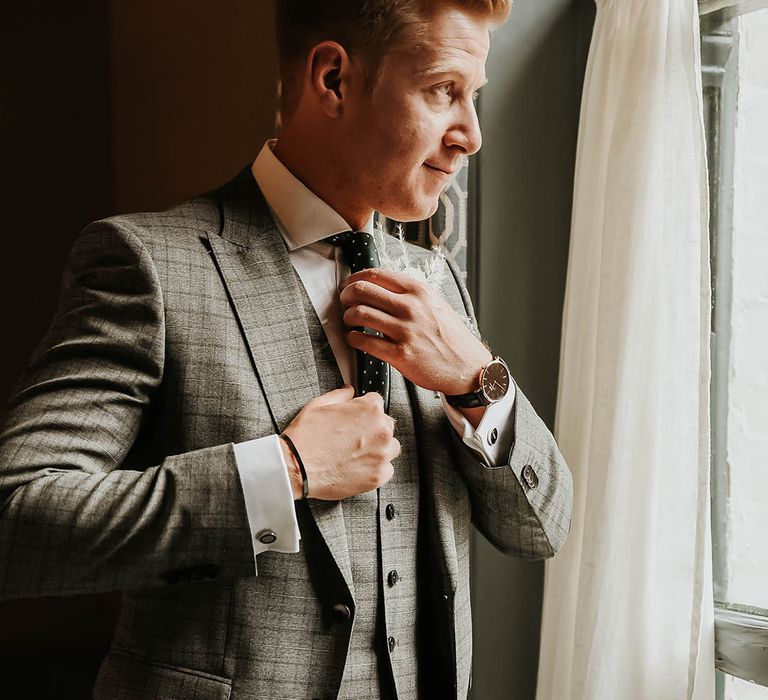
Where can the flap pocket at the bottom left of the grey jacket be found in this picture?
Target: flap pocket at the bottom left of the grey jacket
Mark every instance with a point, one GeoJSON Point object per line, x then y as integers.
{"type": "Point", "coordinates": [124, 676]}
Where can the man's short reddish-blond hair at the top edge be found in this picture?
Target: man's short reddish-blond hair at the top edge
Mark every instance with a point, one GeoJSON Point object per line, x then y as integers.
{"type": "Point", "coordinates": [365, 28]}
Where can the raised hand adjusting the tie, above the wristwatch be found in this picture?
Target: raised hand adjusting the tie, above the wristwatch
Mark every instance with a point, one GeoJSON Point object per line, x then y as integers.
{"type": "Point", "coordinates": [424, 338]}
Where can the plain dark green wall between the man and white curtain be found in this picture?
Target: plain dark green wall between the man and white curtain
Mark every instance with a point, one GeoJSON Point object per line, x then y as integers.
{"type": "Point", "coordinates": [529, 116]}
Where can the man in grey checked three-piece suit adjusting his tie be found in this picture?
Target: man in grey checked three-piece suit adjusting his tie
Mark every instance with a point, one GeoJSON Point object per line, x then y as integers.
{"type": "Point", "coordinates": [187, 432]}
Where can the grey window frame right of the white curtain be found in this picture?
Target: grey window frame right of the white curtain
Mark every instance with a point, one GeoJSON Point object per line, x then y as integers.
{"type": "Point", "coordinates": [741, 632]}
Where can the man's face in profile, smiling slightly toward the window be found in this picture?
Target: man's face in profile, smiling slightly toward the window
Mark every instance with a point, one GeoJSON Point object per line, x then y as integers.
{"type": "Point", "coordinates": [401, 142]}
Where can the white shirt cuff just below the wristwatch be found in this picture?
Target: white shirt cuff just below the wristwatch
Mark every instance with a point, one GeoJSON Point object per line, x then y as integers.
{"type": "Point", "coordinates": [495, 434]}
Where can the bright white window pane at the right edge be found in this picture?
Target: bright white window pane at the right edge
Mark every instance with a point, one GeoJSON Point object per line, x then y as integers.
{"type": "Point", "coordinates": [746, 576]}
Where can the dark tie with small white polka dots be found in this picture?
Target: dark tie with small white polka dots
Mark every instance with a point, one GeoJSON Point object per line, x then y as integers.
{"type": "Point", "coordinates": [359, 252]}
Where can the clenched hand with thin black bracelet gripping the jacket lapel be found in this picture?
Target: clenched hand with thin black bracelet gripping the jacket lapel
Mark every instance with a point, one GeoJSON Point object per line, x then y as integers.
{"type": "Point", "coordinates": [345, 442]}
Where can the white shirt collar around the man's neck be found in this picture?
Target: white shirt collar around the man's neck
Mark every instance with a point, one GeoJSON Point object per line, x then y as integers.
{"type": "Point", "coordinates": [302, 217]}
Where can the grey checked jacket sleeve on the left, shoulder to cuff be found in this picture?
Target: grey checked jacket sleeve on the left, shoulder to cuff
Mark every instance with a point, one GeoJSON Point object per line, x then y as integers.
{"type": "Point", "coordinates": [71, 519]}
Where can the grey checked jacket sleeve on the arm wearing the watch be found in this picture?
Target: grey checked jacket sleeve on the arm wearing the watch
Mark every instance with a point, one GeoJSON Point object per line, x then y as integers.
{"type": "Point", "coordinates": [523, 507]}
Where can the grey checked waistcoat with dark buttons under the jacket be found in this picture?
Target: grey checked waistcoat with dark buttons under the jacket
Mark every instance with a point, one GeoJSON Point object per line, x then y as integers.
{"type": "Point", "coordinates": [381, 529]}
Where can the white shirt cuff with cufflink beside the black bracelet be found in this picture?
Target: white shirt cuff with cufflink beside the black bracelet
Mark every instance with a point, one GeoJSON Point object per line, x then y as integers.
{"type": "Point", "coordinates": [268, 496]}
